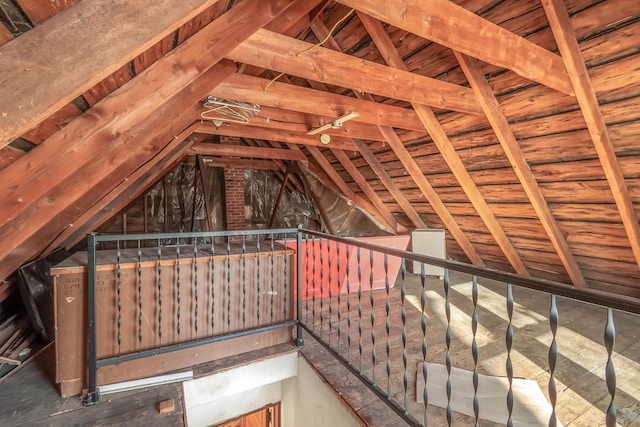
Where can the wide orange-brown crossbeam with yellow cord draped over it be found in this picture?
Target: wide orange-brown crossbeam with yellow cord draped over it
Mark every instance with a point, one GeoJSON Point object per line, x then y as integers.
{"type": "Point", "coordinates": [280, 53]}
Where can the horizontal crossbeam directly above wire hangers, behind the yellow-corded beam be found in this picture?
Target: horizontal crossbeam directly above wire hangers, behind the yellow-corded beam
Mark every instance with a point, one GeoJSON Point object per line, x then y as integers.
{"type": "Point", "coordinates": [244, 88]}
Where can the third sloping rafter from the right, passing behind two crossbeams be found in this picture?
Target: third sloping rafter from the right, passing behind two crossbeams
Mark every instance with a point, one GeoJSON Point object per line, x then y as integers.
{"type": "Point", "coordinates": [448, 152]}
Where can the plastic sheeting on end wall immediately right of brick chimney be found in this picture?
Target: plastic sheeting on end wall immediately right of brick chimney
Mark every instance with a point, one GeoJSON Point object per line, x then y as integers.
{"type": "Point", "coordinates": [261, 192]}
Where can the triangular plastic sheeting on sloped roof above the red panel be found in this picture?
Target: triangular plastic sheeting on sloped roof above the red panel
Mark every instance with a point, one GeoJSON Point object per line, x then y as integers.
{"type": "Point", "coordinates": [346, 218]}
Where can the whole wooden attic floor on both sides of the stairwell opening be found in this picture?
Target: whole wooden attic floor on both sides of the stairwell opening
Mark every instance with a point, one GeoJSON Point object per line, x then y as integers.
{"type": "Point", "coordinates": [30, 397]}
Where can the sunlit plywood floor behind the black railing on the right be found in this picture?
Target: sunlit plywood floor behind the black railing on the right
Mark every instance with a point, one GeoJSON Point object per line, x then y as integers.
{"type": "Point", "coordinates": [582, 396]}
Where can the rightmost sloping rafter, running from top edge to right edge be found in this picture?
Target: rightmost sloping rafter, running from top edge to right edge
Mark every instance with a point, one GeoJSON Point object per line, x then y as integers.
{"type": "Point", "coordinates": [570, 50]}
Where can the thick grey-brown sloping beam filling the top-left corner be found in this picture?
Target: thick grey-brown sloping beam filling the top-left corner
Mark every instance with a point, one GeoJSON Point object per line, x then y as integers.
{"type": "Point", "coordinates": [83, 38]}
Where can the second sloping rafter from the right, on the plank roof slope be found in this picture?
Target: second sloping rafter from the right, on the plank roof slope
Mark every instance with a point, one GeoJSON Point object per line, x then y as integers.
{"type": "Point", "coordinates": [520, 166]}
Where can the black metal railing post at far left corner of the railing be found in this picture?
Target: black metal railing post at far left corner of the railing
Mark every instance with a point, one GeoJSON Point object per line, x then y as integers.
{"type": "Point", "coordinates": [93, 394]}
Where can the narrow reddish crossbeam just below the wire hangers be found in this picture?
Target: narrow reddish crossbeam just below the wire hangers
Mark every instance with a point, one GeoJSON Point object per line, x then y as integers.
{"type": "Point", "coordinates": [243, 131]}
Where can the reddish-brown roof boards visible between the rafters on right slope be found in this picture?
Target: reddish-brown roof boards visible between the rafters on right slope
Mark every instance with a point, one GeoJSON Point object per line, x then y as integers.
{"type": "Point", "coordinates": [551, 132]}
